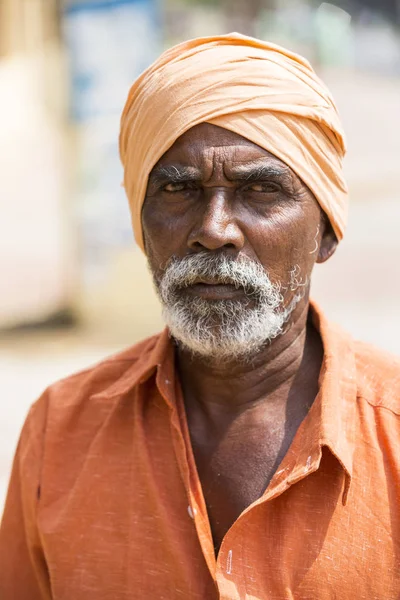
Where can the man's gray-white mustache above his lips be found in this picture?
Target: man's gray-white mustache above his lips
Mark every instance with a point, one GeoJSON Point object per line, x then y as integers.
{"type": "Point", "coordinates": [240, 272]}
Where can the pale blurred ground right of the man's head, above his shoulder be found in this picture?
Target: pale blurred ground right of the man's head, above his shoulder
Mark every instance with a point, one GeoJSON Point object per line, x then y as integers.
{"type": "Point", "coordinates": [359, 286]}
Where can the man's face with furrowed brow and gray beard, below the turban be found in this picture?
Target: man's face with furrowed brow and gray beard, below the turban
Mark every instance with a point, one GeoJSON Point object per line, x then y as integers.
{"type": "Point", "coordinates": [232, 235]}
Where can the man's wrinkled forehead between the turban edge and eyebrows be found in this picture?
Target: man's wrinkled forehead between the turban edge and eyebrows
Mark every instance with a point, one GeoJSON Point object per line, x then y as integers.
{"type": "Point", "coordinates": [204, 140]}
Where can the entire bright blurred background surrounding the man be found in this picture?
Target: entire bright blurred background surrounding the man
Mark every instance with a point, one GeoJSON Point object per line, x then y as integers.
{"type": "Point", "coordinates": [73, 286]}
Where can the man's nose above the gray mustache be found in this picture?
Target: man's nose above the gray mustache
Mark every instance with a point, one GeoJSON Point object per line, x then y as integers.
{"type": "Point", "coordinates": [217, 226]}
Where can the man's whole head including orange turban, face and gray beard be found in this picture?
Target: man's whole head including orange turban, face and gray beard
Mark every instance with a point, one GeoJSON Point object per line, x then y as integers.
{"type": "Point", "coordinates": [232, 152]}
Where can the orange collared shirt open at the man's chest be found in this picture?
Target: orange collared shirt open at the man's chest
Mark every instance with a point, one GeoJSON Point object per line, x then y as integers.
{"type": "Point", "coordinates": [105, 502]}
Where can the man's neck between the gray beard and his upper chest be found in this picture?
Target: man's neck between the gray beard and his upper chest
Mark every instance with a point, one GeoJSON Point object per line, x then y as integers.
{"type": "Point", "coordinates": [268, 377]}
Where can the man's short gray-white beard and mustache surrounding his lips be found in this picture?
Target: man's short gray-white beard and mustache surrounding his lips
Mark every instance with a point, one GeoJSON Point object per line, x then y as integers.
{"type": "Point", "coordinates": [222, 329]}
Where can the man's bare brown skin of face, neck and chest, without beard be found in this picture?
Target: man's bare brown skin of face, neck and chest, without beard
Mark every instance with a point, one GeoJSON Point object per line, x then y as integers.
{"type": "Point", "coordinates": [214, 191]}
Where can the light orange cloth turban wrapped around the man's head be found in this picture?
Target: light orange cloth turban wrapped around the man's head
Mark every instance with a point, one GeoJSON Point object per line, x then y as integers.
{"type": "Point", "coordinates": [258, 90]}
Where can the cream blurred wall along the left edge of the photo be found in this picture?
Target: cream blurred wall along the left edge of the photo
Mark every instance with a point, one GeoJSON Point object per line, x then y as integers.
{"type": "Point", "coordinates": [35, 247]}
